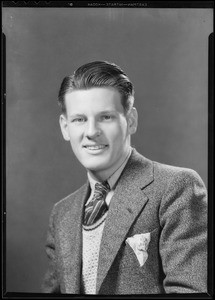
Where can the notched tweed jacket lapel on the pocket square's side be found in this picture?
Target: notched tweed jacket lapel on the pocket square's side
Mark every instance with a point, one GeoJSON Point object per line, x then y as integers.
{"type": "Point", "coordinates": [126, 204]}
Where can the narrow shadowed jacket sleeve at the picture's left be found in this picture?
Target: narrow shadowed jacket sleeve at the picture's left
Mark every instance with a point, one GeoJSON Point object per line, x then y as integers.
{"type": "Point", "coordinates": [51, 279]}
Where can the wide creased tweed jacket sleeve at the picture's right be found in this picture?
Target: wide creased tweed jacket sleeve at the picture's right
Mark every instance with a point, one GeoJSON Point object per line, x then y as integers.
{"type": "Point", "coordinates": [183, 239]}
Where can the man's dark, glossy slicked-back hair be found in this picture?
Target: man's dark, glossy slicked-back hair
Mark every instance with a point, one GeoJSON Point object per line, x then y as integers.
{"type": "Point", "coordinates": [98, 74]}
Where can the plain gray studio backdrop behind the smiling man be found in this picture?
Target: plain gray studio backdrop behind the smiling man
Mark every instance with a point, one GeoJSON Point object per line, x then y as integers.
{"type": "Point", "coordinates": [165, 54]}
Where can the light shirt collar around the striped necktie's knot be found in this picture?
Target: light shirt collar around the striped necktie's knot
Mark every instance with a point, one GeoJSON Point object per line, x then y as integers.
{"type": "Point", "coordinates": [112, 180]}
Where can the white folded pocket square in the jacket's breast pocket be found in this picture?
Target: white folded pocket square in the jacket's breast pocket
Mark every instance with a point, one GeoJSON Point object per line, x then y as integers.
{"type": "Point", "coordinates": [139, 243]}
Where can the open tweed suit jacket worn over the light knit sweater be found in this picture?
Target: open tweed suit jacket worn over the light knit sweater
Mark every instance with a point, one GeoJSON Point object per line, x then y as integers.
{"type": "Point", "coordinates": [167, 202]}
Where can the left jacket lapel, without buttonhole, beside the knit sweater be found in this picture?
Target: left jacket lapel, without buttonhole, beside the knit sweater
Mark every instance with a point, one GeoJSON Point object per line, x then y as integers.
{"type": "Point", "coordinates": [71, 241]}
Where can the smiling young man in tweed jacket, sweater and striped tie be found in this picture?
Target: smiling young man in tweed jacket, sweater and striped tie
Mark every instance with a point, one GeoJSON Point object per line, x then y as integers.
{"type": "Point", "coordinates": [136, 226]}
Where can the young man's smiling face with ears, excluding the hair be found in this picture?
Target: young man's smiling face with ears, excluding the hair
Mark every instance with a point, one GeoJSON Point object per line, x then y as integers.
{"type": "Point", "coordinates": [98, 129]}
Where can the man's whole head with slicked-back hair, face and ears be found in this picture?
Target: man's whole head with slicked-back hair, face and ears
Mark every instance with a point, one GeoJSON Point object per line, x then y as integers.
{"type": "Point", "coordinates": [98, 116]}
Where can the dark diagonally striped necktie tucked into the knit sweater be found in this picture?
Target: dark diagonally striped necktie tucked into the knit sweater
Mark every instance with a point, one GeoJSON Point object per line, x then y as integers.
{"type": "Point", "coordinates": [97, 206]}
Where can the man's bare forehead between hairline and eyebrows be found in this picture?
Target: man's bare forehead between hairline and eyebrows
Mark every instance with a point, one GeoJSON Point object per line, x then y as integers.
{"type": "Point", "coordinates": [94, 99]}
